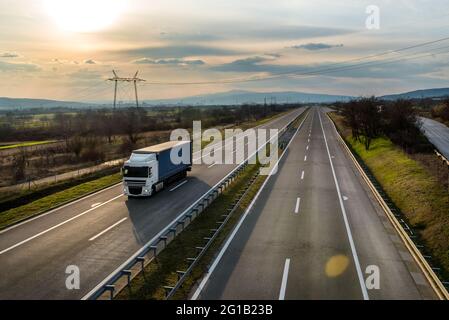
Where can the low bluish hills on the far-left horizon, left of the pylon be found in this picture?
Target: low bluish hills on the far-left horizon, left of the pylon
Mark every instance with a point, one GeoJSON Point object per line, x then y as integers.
{"type": "Point", "coordinates": [12, 103]}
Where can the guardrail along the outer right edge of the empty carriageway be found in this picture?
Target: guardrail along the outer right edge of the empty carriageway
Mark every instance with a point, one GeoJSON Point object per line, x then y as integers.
{"type": "Point", "coordinates": [404, 231]}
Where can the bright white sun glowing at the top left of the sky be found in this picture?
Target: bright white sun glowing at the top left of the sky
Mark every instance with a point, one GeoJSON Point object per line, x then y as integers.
{"type": "Point", "coordinates": [84, 15]}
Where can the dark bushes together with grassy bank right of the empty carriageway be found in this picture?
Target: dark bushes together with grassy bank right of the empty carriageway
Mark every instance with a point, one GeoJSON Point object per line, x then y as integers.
{"type": "Point", "coordinates": [403, 162]}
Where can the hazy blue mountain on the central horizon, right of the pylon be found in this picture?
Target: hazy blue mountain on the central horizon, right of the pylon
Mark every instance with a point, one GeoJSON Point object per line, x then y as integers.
{"type": "Point", "coordinates": [242, 97]}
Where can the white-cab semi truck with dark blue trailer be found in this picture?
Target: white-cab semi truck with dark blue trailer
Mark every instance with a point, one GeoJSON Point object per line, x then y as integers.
{"type": "Point", "coordinates": [150, 169]}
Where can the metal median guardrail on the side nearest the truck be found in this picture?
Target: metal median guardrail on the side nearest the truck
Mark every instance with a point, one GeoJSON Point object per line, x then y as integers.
{"type": "Point", "coordinates": [150, 251]}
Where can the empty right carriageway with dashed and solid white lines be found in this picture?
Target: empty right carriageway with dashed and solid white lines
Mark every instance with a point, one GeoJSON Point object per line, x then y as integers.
{"type": "Point", "coordinates": [314, 232]}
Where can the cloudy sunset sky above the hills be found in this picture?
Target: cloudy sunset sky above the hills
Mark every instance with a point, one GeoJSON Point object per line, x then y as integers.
{"type": "Point", "coordinates": [65, 49]}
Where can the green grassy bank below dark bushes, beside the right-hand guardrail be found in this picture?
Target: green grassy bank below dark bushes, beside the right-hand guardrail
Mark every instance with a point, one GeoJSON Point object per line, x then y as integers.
{"type": "Point", "coordinates": [414, 191]}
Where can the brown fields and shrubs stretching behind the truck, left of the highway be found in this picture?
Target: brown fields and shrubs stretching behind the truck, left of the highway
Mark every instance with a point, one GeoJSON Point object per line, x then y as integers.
{"type": "Point", "coordinates": [86, 138]}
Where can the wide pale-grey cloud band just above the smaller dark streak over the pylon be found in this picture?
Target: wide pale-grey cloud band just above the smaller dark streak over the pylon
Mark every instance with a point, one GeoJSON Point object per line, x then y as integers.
{"type": "Point", "coordinates": [177, 51]}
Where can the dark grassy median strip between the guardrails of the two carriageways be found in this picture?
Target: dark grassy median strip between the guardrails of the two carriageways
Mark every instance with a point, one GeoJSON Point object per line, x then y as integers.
{"type": "Point", "coordinates": [148, 285]}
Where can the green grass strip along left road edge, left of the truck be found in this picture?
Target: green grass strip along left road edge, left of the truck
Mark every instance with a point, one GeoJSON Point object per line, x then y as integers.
{"type": "Point", "coordinates": [49, 202]}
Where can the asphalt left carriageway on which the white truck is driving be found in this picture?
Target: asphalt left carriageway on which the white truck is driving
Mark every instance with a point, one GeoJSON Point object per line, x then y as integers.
{"type": "Point", "coordinates": [97, 234]}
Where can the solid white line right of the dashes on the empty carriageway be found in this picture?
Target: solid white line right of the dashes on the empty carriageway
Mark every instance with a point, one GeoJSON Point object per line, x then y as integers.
{"type": "Point", "coordinates": [345, 218]}
